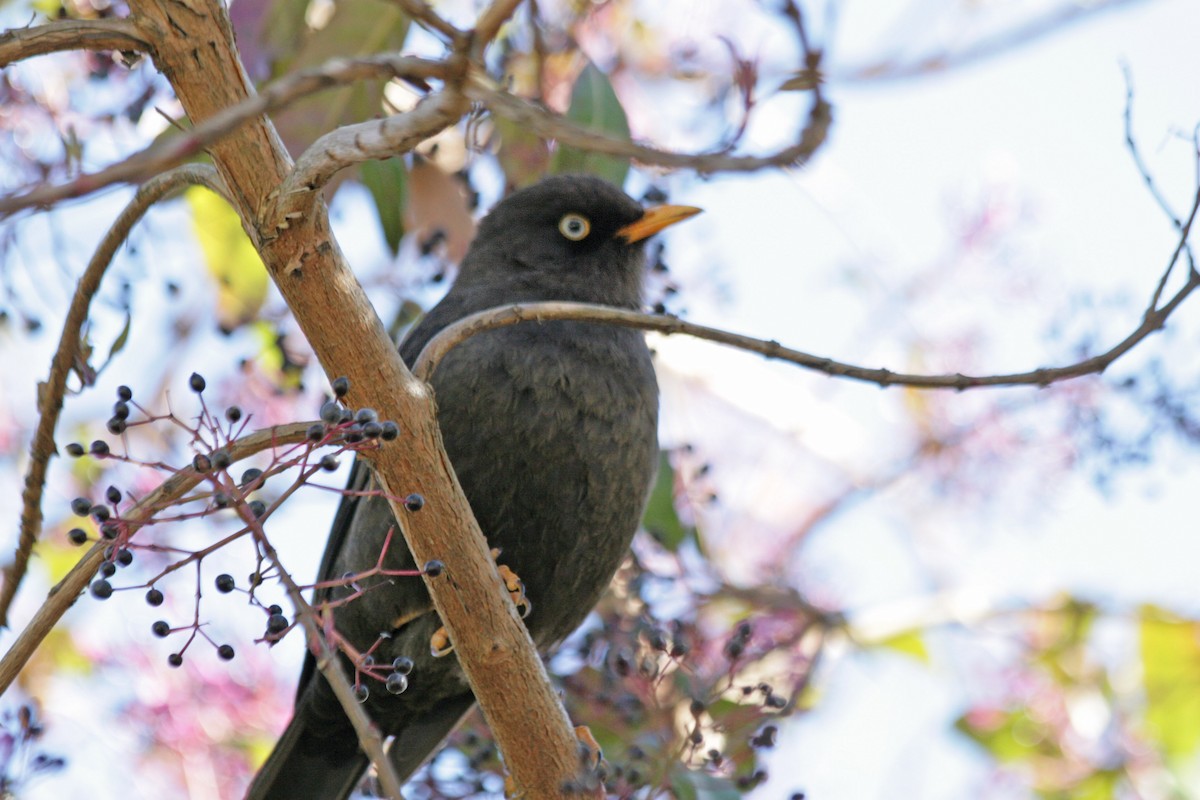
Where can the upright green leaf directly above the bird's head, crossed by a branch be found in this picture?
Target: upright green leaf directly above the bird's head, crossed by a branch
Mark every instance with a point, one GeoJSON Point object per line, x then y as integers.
{"type": "Point", "coordinates": [595, 106]}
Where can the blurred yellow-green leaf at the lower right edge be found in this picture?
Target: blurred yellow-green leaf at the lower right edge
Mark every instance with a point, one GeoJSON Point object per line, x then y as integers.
{"type": "Point", "coordinates": [1171, 665]}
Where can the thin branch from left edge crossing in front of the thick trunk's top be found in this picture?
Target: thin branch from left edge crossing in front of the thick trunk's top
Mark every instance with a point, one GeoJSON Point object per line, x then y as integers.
{"type": "Point", "coordinates": [172, 152]}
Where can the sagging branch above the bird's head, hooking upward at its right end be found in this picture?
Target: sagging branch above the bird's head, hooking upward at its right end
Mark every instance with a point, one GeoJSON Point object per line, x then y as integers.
{"type": "Point", "coordinates": [545, 124]}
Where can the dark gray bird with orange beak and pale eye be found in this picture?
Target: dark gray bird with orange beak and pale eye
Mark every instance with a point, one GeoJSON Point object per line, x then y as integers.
{"type": "Point", "coordinates": [553, 434]}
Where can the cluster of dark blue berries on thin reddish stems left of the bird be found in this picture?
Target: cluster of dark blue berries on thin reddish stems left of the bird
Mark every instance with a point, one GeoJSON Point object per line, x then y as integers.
{"type": "Point", "coordinates": [217, 441]}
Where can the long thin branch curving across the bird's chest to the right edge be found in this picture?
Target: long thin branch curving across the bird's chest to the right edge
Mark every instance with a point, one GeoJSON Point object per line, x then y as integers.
{"type": "Point", "coordinates": [454, 335]}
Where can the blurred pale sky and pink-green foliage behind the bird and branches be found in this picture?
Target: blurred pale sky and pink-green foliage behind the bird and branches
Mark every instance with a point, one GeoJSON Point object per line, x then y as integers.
{"type": "Point", "coordinates": [844, 591]}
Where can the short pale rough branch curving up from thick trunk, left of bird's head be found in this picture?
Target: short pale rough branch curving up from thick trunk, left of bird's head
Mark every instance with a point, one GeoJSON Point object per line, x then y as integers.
{"type": "Point", "coordinates": [353, 145]}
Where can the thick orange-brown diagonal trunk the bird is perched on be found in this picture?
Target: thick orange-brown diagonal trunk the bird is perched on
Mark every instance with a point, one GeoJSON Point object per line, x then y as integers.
{"type": "Point", "coordinates": [200, 58]}
